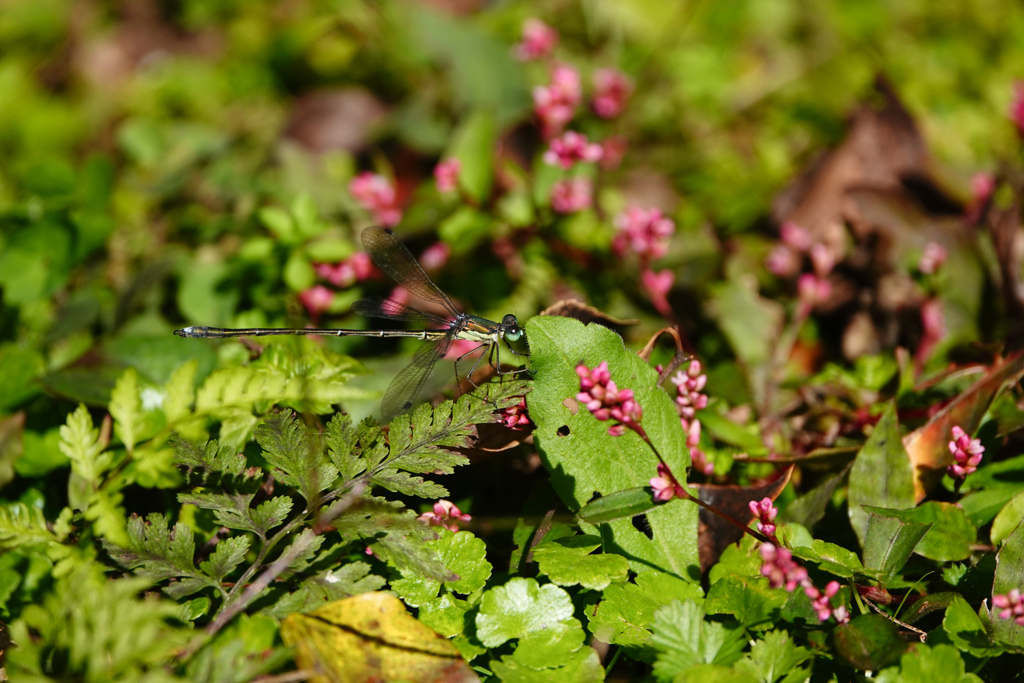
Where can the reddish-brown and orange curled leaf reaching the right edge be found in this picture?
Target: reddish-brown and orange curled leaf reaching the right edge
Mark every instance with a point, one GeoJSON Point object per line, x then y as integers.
{"type": "Point", "coordinates": [927, 446]}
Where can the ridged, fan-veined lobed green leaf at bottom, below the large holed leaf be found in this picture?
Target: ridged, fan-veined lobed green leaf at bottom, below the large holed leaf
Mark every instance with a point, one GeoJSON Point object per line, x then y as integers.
{"type": "Point", "coordinates": [684, 639]}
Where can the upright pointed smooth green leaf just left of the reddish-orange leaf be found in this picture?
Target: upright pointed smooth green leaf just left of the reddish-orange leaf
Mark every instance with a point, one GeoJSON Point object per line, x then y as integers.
{"type": "Point", "coordinates": [882, 476]}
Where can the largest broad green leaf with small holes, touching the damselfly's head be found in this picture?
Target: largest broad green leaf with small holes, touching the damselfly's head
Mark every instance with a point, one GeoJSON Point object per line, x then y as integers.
{"type": "Point", "coordinates": [585, 461]}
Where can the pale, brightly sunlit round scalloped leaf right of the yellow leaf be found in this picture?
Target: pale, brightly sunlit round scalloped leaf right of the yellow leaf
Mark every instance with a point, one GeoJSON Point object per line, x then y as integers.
{"type": "Point", "coordinates": [520, 608]}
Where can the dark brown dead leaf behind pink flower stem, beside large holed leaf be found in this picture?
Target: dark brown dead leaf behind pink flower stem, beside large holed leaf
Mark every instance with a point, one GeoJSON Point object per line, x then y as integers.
{"type": "Point", "coordinates": [714, 534]}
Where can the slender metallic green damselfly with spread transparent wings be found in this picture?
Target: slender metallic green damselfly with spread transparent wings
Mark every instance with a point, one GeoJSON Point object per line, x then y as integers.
{"type": "Point", "coordinates": [394, 259]}
